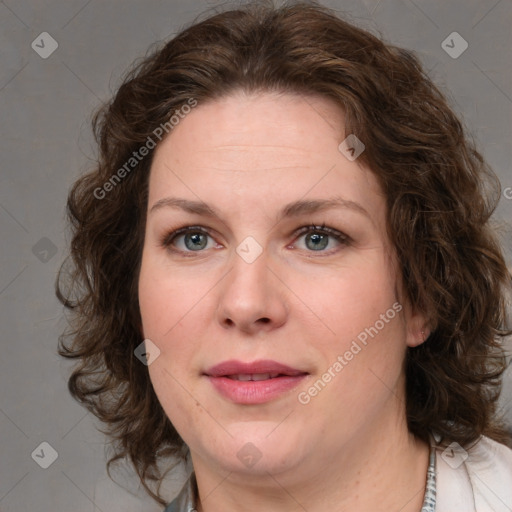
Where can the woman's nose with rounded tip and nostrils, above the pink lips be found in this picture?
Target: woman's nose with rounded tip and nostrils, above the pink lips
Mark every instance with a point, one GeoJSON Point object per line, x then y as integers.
{"type": "Point", "coordinates": [252, 297]}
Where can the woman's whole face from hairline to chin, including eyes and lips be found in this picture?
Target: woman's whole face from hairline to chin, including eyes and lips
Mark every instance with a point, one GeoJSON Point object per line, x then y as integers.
{"type": "Point", "coordinates": [269, 286]}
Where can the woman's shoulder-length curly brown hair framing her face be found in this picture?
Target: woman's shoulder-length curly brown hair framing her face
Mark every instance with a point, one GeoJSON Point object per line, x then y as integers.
{"type": "Point", "coordinates": [440, 197]}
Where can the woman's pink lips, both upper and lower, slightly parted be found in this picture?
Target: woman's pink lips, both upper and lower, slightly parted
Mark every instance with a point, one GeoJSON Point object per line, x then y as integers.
{"type": "Point", "coordinates": [253, 383]}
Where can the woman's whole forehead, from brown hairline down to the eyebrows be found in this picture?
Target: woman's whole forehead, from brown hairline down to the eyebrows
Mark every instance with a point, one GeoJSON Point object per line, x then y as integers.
{"type": "Point", "coordinates": [263, 147]}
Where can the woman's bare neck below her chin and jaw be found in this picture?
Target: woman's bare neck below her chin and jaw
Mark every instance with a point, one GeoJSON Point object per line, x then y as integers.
{"type": "Point", "coordinates": [381, 467]}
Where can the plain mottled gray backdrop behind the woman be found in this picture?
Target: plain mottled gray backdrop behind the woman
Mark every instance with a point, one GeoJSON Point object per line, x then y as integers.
{"type": "Point", "coordinates": [45, 107]}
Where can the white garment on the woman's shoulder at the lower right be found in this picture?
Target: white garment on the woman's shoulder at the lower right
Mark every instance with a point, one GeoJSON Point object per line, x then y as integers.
{"type": "Point", "coordinates": [476, 479]}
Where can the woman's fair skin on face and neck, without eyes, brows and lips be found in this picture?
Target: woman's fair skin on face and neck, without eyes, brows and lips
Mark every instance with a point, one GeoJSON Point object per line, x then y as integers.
{"type": "Point", "coordinates": [248, 156]}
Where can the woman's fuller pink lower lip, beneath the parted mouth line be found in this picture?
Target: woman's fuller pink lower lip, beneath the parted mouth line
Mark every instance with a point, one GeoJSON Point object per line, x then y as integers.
{"type": "Point", "coordinates": [254, 391]}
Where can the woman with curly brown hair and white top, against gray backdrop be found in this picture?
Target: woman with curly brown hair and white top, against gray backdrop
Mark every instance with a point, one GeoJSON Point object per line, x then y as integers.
{"type": "Point", "coordinates": [288, 213]}
